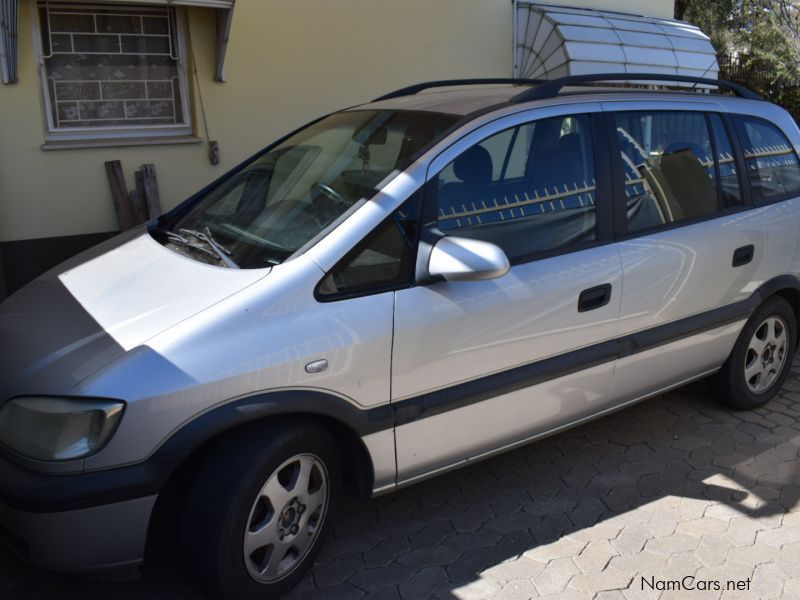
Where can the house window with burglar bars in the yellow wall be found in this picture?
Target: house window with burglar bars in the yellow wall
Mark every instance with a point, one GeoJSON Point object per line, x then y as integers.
{"type": "Point", "coordinates": [113, 70]}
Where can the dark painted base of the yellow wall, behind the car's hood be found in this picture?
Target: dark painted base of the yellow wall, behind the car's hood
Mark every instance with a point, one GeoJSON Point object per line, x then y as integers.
{"type": "Point", "coordinates": [24, 260]}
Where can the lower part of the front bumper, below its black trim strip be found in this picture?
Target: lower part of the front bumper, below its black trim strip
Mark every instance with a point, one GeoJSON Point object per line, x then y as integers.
{"type": "Point", "coordinates": [87, 539]}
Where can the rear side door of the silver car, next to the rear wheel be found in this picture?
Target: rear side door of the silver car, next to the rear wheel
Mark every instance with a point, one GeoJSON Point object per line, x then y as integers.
{"type": "Point", "coordinates": [692, 244]}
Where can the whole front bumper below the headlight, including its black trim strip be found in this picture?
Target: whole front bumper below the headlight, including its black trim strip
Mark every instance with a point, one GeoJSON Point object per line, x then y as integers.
{"type": "Point", "coordinates": [80, 522]}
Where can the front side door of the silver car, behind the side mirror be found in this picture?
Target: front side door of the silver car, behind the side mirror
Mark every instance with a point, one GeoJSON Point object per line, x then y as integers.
{"type": "Point", "coordinates": [481, 365]}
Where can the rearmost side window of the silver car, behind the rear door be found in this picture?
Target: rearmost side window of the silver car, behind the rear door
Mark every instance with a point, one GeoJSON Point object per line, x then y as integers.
{"type": "Point", "coordinates": [772, 165]}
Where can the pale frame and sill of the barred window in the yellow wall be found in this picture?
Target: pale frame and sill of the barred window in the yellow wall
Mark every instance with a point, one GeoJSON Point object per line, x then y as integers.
{"type": "Point", "coordinates": [122, 133]}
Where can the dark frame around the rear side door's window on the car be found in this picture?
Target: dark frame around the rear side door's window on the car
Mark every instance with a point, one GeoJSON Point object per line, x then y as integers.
{"type": "Point", "coordinates": [618, 170]}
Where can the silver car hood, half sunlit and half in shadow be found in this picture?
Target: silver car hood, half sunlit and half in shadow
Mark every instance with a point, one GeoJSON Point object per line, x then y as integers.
{"type": "Point", "coordinates": [80, 316]}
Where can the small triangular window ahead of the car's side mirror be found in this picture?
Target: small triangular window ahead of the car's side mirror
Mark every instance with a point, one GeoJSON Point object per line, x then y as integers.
{"type": "Point", "coordinates": [382, 261]}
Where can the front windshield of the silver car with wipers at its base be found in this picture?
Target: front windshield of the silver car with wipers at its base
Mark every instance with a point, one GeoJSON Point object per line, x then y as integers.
{"type": "Point", "coordinates": [274, 205]}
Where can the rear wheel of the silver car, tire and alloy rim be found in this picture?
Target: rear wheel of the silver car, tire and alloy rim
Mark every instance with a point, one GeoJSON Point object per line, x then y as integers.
{"type": "Point", "coordinates": [762, 358]}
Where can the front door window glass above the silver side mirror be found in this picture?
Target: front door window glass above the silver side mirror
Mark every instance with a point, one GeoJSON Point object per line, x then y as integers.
{"type": "Point", "coordinates": [529, 189]}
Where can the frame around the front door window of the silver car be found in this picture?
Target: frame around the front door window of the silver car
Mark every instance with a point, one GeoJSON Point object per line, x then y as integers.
{"type": "Point", "coordinates": [603, 189]}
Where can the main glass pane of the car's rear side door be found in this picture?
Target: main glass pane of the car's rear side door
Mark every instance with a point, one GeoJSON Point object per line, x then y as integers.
{"type": "Point", "coordinates": [669, 167]}
